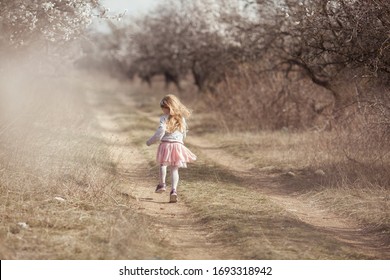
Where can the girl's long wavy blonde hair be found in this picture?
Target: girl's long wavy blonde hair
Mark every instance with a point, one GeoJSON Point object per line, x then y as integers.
{"type": "Point", "coordinates": [177, 111]}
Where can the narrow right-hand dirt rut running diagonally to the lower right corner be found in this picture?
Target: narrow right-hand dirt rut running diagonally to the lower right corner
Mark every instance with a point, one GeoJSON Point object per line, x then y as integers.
{"type": "Point", "coordinates": [341, 228]}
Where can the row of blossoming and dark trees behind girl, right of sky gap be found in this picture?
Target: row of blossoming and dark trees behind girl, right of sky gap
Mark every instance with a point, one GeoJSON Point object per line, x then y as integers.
{"type": "Point", "coordinates": [331, 43]}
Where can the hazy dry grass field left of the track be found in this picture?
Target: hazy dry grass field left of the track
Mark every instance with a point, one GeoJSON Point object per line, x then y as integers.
{"type": "Point", "coordinates": [58, 182]}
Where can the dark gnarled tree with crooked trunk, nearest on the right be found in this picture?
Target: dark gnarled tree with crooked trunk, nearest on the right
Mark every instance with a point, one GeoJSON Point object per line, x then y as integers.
{"type": "Point", "coordinates": [324, 38]}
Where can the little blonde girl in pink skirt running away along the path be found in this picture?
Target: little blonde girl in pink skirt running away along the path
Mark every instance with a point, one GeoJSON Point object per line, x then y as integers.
{"type": "Point", "coordinates": [171, 151]}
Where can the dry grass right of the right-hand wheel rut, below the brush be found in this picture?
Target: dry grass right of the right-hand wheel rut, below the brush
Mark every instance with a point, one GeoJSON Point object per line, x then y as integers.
{"type": "Point", "coordinates": [306, 164]}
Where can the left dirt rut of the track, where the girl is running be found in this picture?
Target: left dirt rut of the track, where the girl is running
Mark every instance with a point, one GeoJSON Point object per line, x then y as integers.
{"type": "Point", "coordinates": [174, 223]}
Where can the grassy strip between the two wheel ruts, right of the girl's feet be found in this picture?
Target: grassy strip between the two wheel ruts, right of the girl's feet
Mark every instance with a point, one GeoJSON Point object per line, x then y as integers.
{"type": "Point", "coordinates": [246, 219]}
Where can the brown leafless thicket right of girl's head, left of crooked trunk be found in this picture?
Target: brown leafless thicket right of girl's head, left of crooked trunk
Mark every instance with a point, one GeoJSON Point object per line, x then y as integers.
{"type": "Point", "coordinates": [263, 100]}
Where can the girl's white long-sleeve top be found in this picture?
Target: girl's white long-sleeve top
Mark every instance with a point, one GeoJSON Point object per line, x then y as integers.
{"type": "Point", "coordinates": [162, 135]}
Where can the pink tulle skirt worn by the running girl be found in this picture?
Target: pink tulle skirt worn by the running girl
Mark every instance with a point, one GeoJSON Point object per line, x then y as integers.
{"type": "Point", "coordinates": [173, 153]}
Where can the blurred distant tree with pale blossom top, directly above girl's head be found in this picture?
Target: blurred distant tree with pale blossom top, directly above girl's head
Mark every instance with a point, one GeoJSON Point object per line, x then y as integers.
{"type": "Point", "coordinates": [179, 38]}
